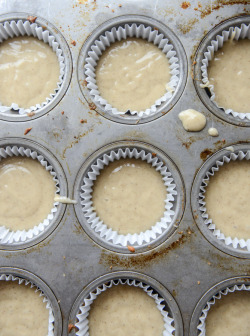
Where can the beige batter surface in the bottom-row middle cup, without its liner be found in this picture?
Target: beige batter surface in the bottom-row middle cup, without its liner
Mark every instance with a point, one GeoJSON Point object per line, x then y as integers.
{"type": "Point", "coordinates": [125, 310]}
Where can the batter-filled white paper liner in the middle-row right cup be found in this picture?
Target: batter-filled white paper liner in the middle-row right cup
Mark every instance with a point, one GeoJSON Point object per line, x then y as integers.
{"type": "Point", "coordinates": [237, 235]}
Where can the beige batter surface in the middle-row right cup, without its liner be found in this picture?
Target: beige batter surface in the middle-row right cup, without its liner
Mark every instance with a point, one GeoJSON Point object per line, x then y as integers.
{"type": "Point", "coordinates": [227, 199]}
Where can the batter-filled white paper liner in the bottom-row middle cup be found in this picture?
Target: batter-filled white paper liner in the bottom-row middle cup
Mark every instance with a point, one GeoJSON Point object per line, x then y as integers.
{"type": "Point", "coordinates": [154, 302]}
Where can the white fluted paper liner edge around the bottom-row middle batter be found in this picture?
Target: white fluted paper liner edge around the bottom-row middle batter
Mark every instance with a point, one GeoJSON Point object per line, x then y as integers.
{"type": "Point", "coordinates": [82, 316]}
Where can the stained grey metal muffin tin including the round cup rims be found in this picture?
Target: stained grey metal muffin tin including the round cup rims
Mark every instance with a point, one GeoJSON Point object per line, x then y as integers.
{"type": "Point", "coordinates": [70, 260]}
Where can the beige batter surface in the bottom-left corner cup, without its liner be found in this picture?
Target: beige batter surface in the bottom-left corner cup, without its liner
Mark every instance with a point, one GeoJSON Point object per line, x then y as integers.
{"type": "Point", "coordinates": [23, 311]}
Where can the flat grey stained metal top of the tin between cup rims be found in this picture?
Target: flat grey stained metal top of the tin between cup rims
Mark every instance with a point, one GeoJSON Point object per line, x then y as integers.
{"type": "Point", "coordinates": [68, 260]}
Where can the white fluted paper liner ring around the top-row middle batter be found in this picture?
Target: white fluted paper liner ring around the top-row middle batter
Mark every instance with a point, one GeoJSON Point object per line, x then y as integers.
{"type": "Point", "coordinates": [117, 34]}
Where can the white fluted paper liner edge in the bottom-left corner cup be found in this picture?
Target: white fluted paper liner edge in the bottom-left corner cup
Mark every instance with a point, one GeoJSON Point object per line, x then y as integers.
{"type": "Point", "coordinates": [9, 277]}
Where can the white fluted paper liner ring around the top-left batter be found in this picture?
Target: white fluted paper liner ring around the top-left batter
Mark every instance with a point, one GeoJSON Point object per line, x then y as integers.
{"type": "Point", "coordinates": [25, 29]}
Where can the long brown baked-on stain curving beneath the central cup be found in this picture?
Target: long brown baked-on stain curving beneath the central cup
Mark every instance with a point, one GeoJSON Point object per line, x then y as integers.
{"type": "Point", "coordinates": [139, 260]}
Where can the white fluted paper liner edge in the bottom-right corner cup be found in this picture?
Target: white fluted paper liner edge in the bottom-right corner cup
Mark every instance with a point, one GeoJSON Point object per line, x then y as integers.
{"type": "Point", "coordinates": [202, 320]}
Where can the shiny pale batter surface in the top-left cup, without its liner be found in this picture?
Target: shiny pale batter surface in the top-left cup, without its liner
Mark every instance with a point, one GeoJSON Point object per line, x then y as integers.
{"type": "Point", "coordinates": [29, 71]}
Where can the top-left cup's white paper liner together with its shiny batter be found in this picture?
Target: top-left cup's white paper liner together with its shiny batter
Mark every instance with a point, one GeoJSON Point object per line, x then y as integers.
{"type": "Point", "coordinates": [19, 33]}
